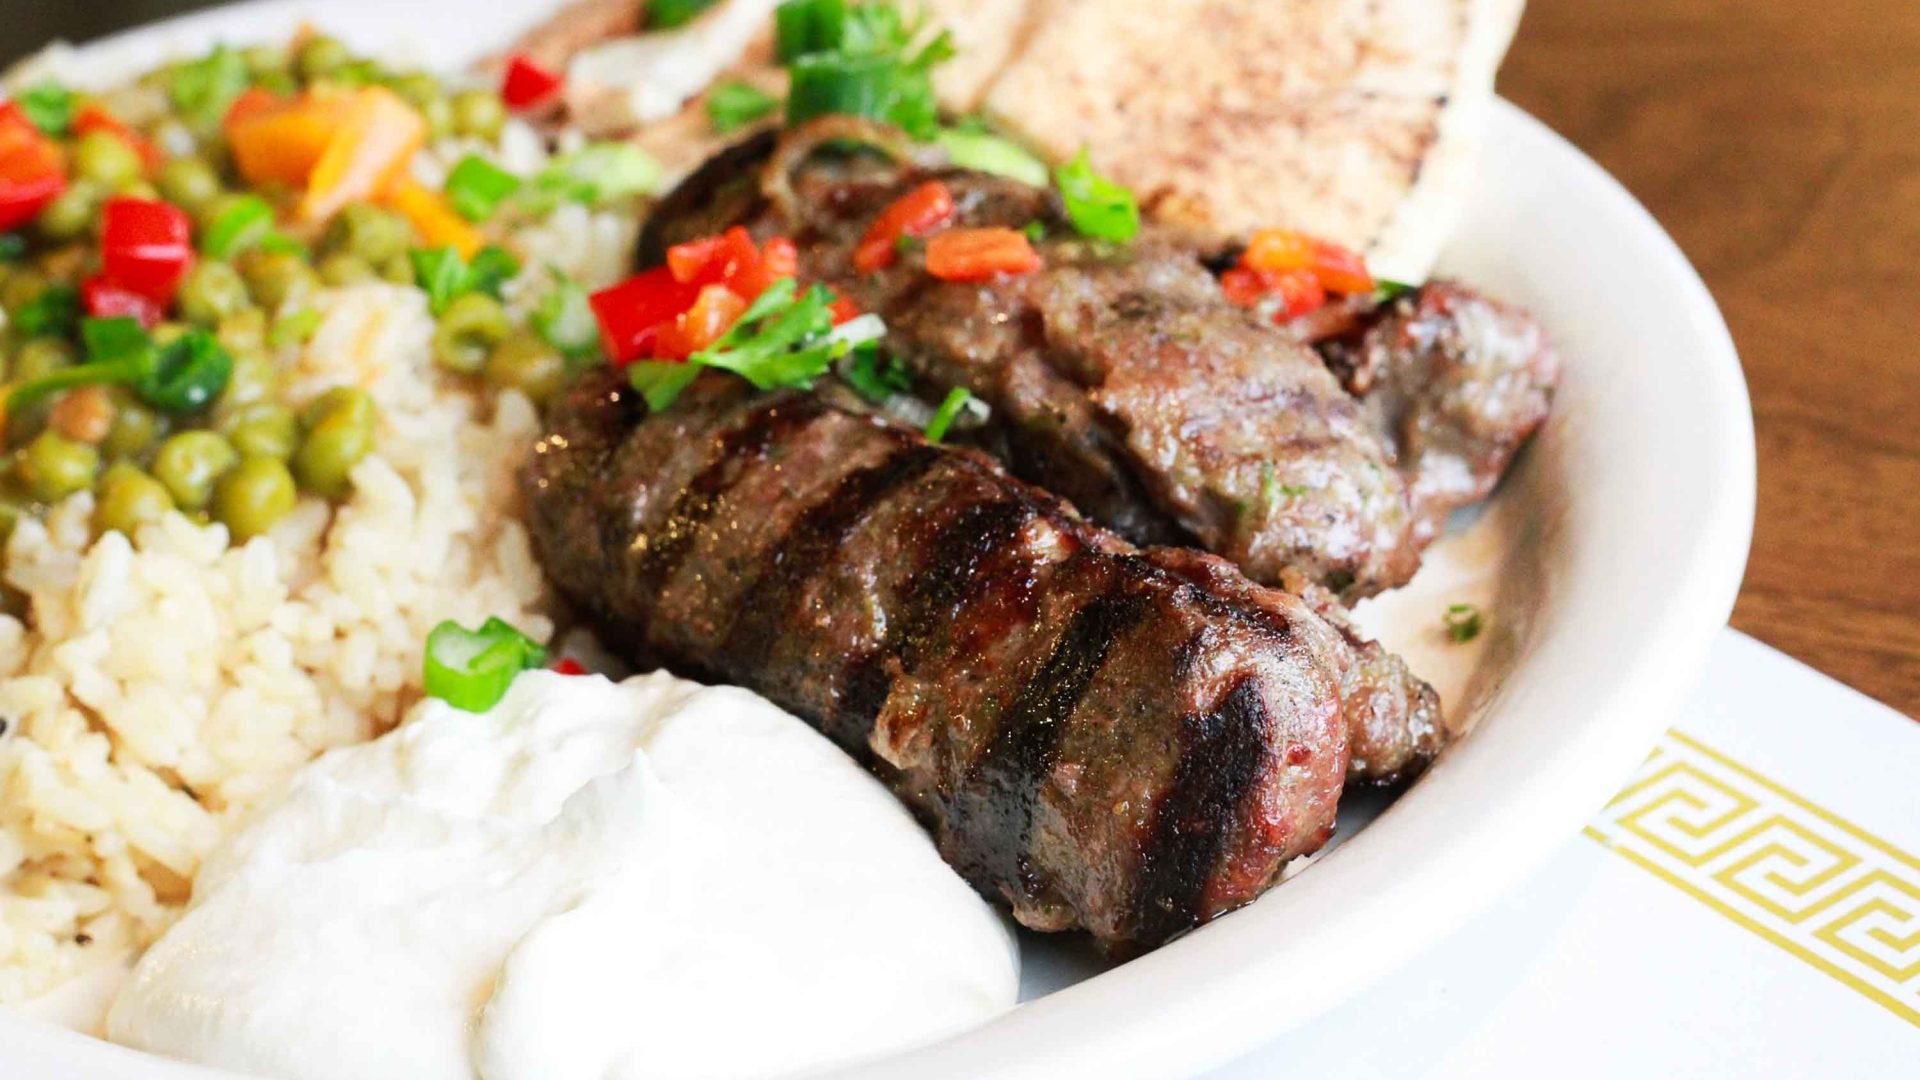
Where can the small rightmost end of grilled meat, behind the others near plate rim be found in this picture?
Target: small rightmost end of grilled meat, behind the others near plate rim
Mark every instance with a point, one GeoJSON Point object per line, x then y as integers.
{"type": "Point", "coordinates": [1456, 383]}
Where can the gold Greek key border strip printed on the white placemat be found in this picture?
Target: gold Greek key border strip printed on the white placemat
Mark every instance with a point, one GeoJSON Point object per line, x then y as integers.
{"type": "Point", "coordinates": [1800, 877]}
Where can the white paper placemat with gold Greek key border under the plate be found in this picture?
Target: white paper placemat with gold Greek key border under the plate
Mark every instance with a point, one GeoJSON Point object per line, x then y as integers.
{"type": "Point", "coordinates": [1746, 908]}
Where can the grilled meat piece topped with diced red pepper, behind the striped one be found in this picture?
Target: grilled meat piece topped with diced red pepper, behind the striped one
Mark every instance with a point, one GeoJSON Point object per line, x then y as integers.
{"type": "Point", "coordinates": [1120, 380]}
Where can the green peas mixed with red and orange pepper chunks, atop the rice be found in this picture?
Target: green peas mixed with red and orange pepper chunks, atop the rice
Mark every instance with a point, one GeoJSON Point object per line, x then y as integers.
{"type": "Point", "coordinates": [162, 251]}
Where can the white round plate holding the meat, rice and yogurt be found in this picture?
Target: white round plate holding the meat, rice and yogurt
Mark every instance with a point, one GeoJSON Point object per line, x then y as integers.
{"type": "Point", "coordinates": [1608, 564]}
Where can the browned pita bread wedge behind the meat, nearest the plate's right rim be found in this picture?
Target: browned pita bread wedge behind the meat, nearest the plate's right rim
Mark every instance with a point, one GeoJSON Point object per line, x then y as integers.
{"type": "Point", "coordinates": [1355, 120]}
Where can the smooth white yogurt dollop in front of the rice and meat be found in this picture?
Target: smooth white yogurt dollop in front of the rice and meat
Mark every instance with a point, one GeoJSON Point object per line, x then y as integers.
{"type": "Point", "coordinates": [594, 881]}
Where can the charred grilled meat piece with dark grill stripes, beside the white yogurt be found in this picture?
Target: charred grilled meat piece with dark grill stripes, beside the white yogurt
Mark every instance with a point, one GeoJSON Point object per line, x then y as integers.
{"type": "Point", "coordinates": [1109, 739]}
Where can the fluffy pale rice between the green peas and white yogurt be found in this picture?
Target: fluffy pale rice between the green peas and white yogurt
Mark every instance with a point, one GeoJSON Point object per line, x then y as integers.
{"type": "Point", "coordinates": [162, 687]}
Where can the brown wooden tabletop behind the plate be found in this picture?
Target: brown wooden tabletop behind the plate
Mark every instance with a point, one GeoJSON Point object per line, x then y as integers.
{"type": "Point", "coordinates": [1781, 145]}
